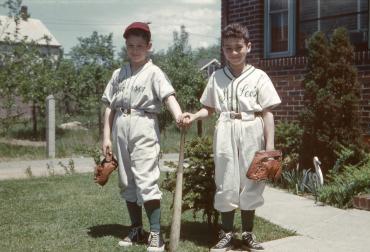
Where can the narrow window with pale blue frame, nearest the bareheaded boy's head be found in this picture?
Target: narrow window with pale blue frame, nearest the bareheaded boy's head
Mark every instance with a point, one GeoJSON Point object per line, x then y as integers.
{"type": "Point", "coordinates": [280, 32]}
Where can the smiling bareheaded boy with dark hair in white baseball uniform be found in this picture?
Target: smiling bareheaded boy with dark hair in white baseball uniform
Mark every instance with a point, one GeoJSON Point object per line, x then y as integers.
{"type": "Point", "coordinates": [243, 97]}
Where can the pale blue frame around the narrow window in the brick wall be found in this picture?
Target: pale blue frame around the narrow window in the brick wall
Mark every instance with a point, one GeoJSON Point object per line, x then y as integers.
{"type": "Point", "coordinates": [291, 31]}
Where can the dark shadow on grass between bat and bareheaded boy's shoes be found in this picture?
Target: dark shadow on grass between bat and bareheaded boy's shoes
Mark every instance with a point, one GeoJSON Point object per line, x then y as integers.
{"type": "Point", "coordinates": [196, 232]}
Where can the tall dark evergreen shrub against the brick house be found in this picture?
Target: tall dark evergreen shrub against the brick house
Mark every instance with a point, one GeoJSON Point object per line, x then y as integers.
{"type": "Point", "coordinates": [331, 114]}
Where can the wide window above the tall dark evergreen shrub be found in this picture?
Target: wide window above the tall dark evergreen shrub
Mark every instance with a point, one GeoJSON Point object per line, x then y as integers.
{"type": "Point", "coordinates": [327, 15]}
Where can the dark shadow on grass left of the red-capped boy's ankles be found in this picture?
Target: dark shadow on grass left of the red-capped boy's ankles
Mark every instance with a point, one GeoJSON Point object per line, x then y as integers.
{"type": "Point", "coordinates": [115, 230]}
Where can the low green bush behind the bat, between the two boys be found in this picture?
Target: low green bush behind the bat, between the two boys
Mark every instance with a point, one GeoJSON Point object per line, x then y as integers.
{"type": "Point", "coordinates": [199, 187]}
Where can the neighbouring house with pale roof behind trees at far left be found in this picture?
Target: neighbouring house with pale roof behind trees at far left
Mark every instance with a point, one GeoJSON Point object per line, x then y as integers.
{"type": "Point", "coordinates": [34, 29]}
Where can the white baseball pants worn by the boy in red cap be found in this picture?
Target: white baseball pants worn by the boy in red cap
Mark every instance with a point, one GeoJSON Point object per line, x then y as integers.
{"type": "Point", "coordinates": [136, 140]}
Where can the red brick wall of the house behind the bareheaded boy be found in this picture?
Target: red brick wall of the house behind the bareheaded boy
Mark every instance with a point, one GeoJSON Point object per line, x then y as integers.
{"type": "Point", "coordinates": [286, 73]}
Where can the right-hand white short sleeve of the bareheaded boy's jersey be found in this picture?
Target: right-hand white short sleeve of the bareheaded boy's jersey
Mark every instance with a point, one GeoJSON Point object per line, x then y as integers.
{"type": "Point", "coordinates": [267, 95]}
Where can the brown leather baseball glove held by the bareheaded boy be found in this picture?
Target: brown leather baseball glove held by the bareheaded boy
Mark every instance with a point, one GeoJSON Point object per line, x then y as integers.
{"type": "Point", "coordinates": [265, 165]}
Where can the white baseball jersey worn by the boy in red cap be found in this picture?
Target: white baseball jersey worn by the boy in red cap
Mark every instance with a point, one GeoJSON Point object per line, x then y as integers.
{"type": "Point", "coordinates": [145, 89]}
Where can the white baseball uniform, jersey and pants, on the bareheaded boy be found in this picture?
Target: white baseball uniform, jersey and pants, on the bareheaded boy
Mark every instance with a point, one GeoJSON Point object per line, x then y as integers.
{"type": "Point", "coordinates": [236, 140]}
